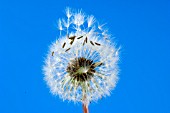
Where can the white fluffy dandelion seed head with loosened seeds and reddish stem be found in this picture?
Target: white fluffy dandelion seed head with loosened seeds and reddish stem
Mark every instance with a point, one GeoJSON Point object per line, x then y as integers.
{"type": "Point", "coordinates": [81, 65]}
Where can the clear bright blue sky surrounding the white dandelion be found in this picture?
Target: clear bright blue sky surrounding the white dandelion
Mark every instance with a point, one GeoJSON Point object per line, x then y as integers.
{"type": "Point", "coordinates": [141, 27]}
